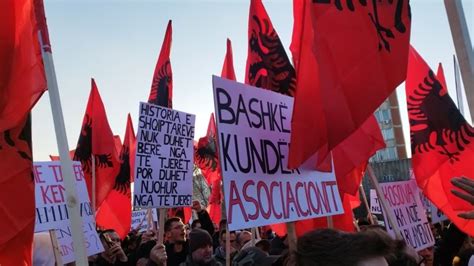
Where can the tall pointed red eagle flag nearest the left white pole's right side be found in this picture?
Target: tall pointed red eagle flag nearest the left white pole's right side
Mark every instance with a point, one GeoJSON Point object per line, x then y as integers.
{"type": "Point", "coordinates": [96, 140]}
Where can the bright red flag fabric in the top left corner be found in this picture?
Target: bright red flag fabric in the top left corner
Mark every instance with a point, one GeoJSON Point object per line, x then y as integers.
{"type": "Point", "coordinates": [22, 77]}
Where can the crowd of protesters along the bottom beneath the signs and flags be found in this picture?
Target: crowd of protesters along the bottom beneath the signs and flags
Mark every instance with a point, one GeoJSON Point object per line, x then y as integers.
{"type": "Point", "coordinates": [203, 243]}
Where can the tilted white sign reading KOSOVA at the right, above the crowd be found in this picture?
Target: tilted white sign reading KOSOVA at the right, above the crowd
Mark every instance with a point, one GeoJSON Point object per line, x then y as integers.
{"type": "Point", "coordinates": [405, 203]}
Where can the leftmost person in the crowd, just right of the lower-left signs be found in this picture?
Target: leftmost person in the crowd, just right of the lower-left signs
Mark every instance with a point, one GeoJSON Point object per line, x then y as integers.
{"type": "Point", "coordinates": [113, 253]}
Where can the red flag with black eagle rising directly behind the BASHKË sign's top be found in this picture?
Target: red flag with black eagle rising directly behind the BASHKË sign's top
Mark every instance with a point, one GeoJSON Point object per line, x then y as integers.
{"type": "Point", "coordinates": [268, 65]}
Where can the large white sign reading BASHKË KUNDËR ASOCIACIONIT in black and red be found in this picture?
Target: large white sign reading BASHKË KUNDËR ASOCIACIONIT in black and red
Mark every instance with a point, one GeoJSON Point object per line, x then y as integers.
{"type": "Point", "coordinates": [254, 132]}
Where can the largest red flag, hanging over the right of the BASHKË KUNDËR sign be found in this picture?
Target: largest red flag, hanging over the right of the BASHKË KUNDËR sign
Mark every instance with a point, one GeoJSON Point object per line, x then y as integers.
{"type": "Point", "coordinates": [362, 49]}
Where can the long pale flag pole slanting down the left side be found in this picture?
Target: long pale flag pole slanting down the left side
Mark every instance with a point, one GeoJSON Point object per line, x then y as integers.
{"type": "Point", "coordinates": [66, 162]}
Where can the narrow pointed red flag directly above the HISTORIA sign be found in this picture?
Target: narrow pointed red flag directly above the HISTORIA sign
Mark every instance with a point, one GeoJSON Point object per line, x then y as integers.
{"type": "Point", "coordinates": [162, 86]}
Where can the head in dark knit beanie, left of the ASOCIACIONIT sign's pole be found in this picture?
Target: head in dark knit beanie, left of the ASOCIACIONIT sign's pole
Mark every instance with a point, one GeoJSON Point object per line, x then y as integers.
{"type": "Point", "coordinates": [200, 246]}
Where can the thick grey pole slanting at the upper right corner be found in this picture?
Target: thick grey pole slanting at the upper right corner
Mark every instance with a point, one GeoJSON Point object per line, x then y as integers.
{"type": "Point", "coordinates": [463, 47]}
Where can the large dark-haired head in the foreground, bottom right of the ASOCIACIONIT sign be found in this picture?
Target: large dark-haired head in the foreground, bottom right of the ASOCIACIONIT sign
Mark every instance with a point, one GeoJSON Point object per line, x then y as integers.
{"type": "Point", "coordinates": [330, 247]}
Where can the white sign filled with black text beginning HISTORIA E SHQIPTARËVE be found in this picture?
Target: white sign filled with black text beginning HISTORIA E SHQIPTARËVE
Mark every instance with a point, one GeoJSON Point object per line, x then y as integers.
{"type": "Point", "coordinates": [165, 158]}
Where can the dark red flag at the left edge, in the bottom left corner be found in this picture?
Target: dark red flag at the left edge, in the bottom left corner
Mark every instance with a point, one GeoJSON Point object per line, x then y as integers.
{"type": "Point", "coordinates": [17, 195]}
